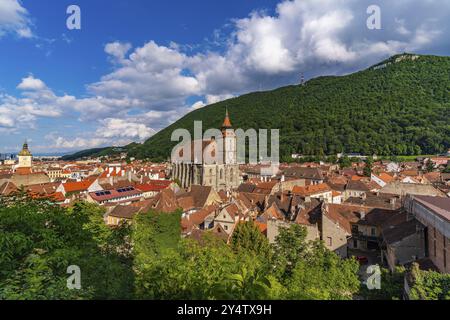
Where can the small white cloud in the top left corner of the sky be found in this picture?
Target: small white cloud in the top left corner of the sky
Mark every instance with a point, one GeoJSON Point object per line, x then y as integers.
{"type": "Point", "coordinates": [14, 19]}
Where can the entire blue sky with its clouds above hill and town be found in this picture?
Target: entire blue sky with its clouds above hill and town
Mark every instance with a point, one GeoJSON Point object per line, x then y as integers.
{"type": "Point", "coordinates": [136, 65]}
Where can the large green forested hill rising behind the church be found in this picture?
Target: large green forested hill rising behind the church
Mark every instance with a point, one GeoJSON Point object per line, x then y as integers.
{"type": "Point", "coordinates": [400, 106]}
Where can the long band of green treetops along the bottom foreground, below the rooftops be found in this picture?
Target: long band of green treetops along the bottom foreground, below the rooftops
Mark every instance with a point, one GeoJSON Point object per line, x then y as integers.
{"type": "Point", "coordinates": [38, 241]}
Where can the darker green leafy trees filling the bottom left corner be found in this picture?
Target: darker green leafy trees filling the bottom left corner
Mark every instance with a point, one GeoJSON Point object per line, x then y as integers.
{"type": "Point", "coordinates": [38, 241]}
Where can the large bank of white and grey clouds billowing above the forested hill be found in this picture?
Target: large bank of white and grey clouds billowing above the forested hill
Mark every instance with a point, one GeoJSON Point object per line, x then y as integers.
{"type": "Point", "coordinates": [150, 84]}
